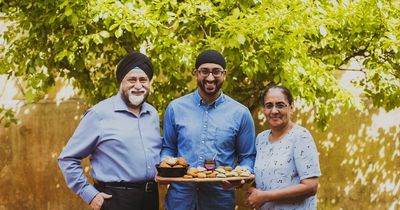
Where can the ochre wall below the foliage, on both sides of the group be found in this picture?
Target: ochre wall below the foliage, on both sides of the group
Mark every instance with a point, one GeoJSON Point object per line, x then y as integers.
{"type": "Point", "coordinates": [359, 155]}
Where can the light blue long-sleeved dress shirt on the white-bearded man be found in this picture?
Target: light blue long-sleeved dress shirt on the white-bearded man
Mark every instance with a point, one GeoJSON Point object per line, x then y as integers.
{"type": "Point", "coordinates": [121, 146]}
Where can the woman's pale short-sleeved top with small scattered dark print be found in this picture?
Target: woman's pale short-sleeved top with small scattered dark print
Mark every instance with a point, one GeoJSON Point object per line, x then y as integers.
{"type": "Point", "coordinates": [285, 163]}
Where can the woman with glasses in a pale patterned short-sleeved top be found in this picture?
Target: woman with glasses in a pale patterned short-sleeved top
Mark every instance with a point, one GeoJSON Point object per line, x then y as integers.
{"type": "Point", "coordinates": [287, 166]}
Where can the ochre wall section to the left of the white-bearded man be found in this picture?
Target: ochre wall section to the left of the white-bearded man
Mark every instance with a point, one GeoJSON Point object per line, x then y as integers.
{"type": "Point", "coordinates": [29, 175]}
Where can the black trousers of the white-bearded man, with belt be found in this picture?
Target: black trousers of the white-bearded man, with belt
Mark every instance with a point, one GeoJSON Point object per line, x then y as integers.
{"type": "Point", "coordinates": [130, 198]}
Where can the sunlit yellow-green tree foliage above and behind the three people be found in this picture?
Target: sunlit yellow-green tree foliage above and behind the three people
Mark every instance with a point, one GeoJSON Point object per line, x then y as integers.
{"type": "Point", "coordinates": [300, 44]}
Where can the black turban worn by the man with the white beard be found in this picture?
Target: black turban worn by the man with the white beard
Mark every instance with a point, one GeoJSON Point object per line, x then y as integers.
{"type": "Point", "coordinates": [132, 60]}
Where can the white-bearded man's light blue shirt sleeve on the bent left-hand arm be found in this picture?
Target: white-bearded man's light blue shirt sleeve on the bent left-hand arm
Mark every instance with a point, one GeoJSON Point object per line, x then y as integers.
{"type": "Point", "coordinates": [81, 145]}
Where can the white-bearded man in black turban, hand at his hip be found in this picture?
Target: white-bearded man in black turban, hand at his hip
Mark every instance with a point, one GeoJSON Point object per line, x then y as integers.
{"type": "Point", "coordinates": [121, 135]}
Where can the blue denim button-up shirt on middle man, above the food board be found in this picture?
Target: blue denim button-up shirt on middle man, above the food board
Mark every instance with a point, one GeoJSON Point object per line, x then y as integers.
{"type": "Point", "coordinates": [197, 131]}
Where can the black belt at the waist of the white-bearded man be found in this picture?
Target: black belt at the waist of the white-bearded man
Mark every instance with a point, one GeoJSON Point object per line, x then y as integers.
{"type": "Point", "coordinates": [149, 186]}
